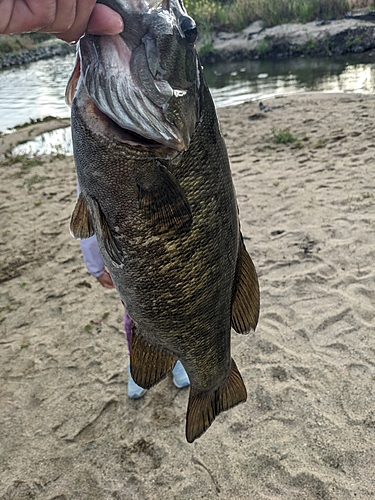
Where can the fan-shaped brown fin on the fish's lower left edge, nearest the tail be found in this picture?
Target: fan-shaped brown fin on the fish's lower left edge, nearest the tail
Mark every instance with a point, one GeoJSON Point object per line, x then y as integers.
{"type": "Point", "coordinates": [148, 364]}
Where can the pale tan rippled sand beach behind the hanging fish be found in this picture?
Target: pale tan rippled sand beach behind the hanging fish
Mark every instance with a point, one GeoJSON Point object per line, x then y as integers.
{"type": "Point", "coordinates": [307, 431]}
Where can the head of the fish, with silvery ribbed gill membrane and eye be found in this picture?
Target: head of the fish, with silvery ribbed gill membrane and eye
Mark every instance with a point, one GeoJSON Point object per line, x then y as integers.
{"type": "Point", "coordinates": [146, 80]}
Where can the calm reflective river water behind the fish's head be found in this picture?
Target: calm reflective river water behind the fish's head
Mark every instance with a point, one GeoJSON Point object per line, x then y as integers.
{"type": "Point", "coordinates": [37, 90]}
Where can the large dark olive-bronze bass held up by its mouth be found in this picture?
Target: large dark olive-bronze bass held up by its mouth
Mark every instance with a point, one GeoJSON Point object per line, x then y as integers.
{"type": "Point", "coordinates": [157, 190]}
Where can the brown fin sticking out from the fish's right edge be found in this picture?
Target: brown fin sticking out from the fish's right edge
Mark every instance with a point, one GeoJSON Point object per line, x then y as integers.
{"type": "Point", "coordinates": [245, 304]}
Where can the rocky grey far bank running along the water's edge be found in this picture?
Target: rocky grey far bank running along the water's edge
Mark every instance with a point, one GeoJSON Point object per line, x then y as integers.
{"type": "Point", "coordinates": [316, 39]}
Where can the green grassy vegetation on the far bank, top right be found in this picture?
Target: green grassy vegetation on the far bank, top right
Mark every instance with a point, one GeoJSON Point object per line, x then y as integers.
{"type": "Point", "coordinates": [234, 15]}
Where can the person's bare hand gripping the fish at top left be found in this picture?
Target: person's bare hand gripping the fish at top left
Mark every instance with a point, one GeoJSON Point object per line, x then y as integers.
{"type": "Point", "coordinates": [66, 19]}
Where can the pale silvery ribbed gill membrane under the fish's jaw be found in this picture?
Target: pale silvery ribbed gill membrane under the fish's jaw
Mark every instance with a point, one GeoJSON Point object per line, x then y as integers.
{"type": "Point", "coordinates": [120, 106]}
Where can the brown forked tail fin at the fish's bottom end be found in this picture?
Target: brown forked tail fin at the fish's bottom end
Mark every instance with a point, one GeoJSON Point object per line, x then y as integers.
{"type": "Point", "coordinates": [203, 407]}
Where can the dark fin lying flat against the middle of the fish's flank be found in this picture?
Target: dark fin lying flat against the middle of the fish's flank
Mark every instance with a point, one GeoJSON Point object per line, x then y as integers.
{"type": "Point", "coordinates": [163, 202]}
